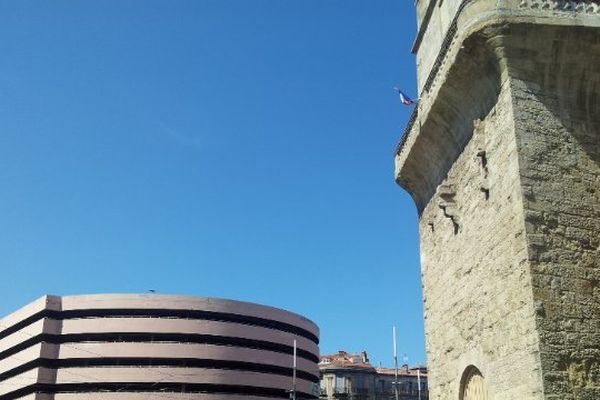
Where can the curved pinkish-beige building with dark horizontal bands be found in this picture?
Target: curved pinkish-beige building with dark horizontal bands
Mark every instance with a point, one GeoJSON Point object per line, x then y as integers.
{"type": "Point", "coordinates": [154, 347]}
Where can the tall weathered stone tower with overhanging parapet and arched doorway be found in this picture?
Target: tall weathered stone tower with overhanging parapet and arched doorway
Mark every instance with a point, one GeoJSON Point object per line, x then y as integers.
{"type": "Point", "coordinates": [502, 158]}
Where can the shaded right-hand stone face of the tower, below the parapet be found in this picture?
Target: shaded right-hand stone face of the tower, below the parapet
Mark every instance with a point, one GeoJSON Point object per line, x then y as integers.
{"type": "Point", "coordinates": [556, 91]}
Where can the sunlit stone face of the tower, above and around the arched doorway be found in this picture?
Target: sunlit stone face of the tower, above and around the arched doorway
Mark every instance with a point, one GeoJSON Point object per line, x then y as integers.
{"type": "Point", "coordinates": [477, 286]}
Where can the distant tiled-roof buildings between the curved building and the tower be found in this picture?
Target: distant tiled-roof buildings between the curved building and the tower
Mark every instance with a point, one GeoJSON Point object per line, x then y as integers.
{"type": "Point", "coordinates": [351, 377]}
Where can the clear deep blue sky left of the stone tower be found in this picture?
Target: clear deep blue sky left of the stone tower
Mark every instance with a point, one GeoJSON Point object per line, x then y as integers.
{"type": "Point", "coordinates": [228, 148]}
